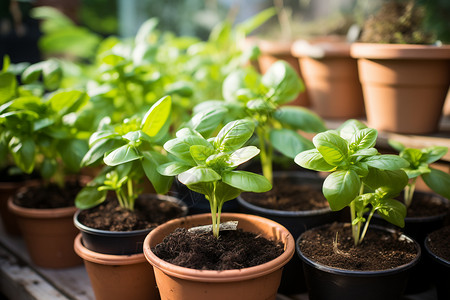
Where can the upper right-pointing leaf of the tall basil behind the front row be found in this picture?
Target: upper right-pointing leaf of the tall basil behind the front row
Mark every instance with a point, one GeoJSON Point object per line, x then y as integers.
{"type": "Point", "coordinates": [300, 118]}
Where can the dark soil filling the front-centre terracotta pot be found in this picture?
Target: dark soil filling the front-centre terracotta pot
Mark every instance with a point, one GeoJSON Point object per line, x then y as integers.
{"type": "Point", "coordinates": [235, 249]}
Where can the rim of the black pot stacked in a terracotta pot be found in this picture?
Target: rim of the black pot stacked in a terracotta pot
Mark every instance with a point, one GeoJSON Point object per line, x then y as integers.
{"type": "Point", "coordinates": [101, 232]}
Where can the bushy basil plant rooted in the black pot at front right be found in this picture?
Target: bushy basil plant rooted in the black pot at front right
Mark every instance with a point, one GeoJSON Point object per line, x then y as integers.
{"type": "Point", "coordinates": [360, 177]}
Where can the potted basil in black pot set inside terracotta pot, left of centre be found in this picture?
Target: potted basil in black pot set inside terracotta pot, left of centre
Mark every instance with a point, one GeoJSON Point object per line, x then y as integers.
{"type": "Point", "coordinates": [115, 214]}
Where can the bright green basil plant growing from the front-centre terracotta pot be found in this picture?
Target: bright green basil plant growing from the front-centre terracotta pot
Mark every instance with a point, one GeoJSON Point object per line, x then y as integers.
{"type": "Point", "coordinates": [207, 166]}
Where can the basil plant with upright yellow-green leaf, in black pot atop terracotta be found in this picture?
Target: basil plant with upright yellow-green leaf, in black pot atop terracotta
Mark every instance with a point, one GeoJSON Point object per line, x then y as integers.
{"type": "Point", "coordinates": [131, 151]}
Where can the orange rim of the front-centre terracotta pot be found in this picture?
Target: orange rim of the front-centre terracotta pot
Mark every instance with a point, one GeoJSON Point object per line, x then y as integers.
{"type": "Point", "coordinates": [226, 275]}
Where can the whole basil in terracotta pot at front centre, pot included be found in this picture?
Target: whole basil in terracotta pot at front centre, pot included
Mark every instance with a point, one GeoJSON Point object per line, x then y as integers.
{"type": "Point", "coordinates": [207, 166]}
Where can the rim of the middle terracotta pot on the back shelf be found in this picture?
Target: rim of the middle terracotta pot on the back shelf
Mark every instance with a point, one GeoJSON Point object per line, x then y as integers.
{"type": "Point", "coordinates": [321, 48]}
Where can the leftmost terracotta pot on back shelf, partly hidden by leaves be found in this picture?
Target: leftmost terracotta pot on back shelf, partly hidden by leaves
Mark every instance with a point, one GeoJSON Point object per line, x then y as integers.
{"type": "Point", "coordinates": [272, 51]}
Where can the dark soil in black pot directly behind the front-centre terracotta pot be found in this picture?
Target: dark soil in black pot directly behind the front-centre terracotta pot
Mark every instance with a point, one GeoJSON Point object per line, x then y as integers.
{"type": "Point", "coordinates": [287, 196]}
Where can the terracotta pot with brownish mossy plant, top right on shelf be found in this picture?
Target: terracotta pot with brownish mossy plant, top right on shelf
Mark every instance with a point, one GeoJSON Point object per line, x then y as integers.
{"type": "Point", "coordinates": [401, 64]}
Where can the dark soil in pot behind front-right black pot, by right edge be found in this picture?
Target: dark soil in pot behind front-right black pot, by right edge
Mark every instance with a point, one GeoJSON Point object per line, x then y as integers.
{"type": "Point", "coordinates": [426, 205]}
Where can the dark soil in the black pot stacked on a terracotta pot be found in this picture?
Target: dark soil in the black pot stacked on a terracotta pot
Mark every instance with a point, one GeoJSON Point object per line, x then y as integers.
{"type": "Point", "coordinates": [148, 212]}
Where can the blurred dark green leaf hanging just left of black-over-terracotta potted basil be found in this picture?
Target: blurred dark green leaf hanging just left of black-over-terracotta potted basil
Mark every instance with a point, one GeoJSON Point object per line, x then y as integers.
{"type": "Point", "coordinates": [72, 152]}
